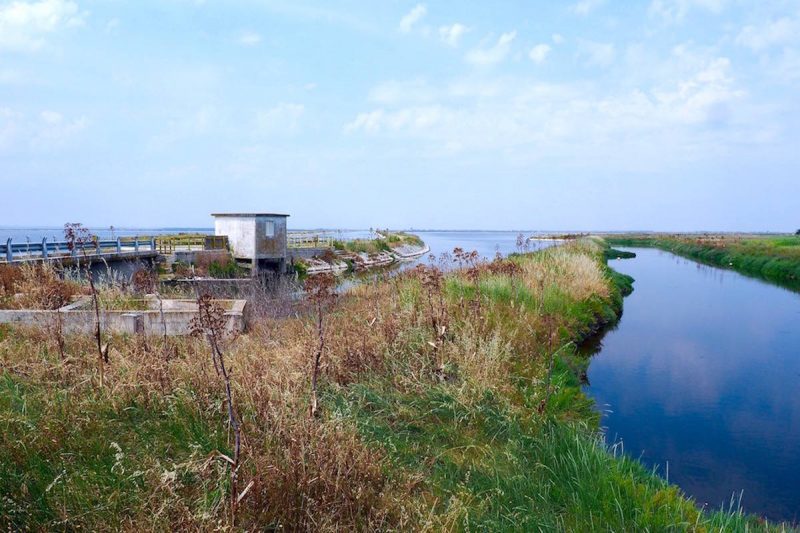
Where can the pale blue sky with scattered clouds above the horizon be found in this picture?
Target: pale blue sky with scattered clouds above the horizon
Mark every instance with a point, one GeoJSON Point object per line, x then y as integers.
{"type": "Point", "coordinates": [669, 115]}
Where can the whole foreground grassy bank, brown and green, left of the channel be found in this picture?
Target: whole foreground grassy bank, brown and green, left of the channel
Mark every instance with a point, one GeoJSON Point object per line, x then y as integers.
{"type": "Point", "coordinates": [447, 402]}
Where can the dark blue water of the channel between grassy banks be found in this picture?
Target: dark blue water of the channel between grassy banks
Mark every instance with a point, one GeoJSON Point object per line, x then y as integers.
{"type": "Point", "coordinates": [700, 378]}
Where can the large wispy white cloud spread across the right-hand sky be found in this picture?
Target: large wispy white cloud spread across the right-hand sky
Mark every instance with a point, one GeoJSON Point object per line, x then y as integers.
{"type": "Point", "coordinates": [699, 112]}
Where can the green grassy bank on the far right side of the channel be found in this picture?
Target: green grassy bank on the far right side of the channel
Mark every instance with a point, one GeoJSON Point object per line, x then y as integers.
{"type": "Point", "coordinates": [774, 258]}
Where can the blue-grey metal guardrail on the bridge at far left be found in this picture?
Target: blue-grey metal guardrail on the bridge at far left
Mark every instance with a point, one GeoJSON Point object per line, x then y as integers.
{"type": "Point", "coordinates": [44, 250]}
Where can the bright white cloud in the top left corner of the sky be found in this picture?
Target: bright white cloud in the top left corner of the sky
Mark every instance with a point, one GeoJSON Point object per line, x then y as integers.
{"type": "Point", "coordinates": [24, 25]}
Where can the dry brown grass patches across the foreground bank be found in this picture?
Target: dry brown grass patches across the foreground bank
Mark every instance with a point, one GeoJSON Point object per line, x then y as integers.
{"type": "Point", "coordinates": [315, 474]}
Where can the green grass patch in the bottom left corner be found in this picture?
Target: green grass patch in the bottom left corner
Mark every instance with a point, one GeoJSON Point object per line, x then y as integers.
{"type": "Point", "coordinates": [75, 461]}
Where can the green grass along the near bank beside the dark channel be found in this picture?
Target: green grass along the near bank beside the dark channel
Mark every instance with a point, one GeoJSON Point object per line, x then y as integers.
{"type": "Point", "coordinates": [493, 463]}
